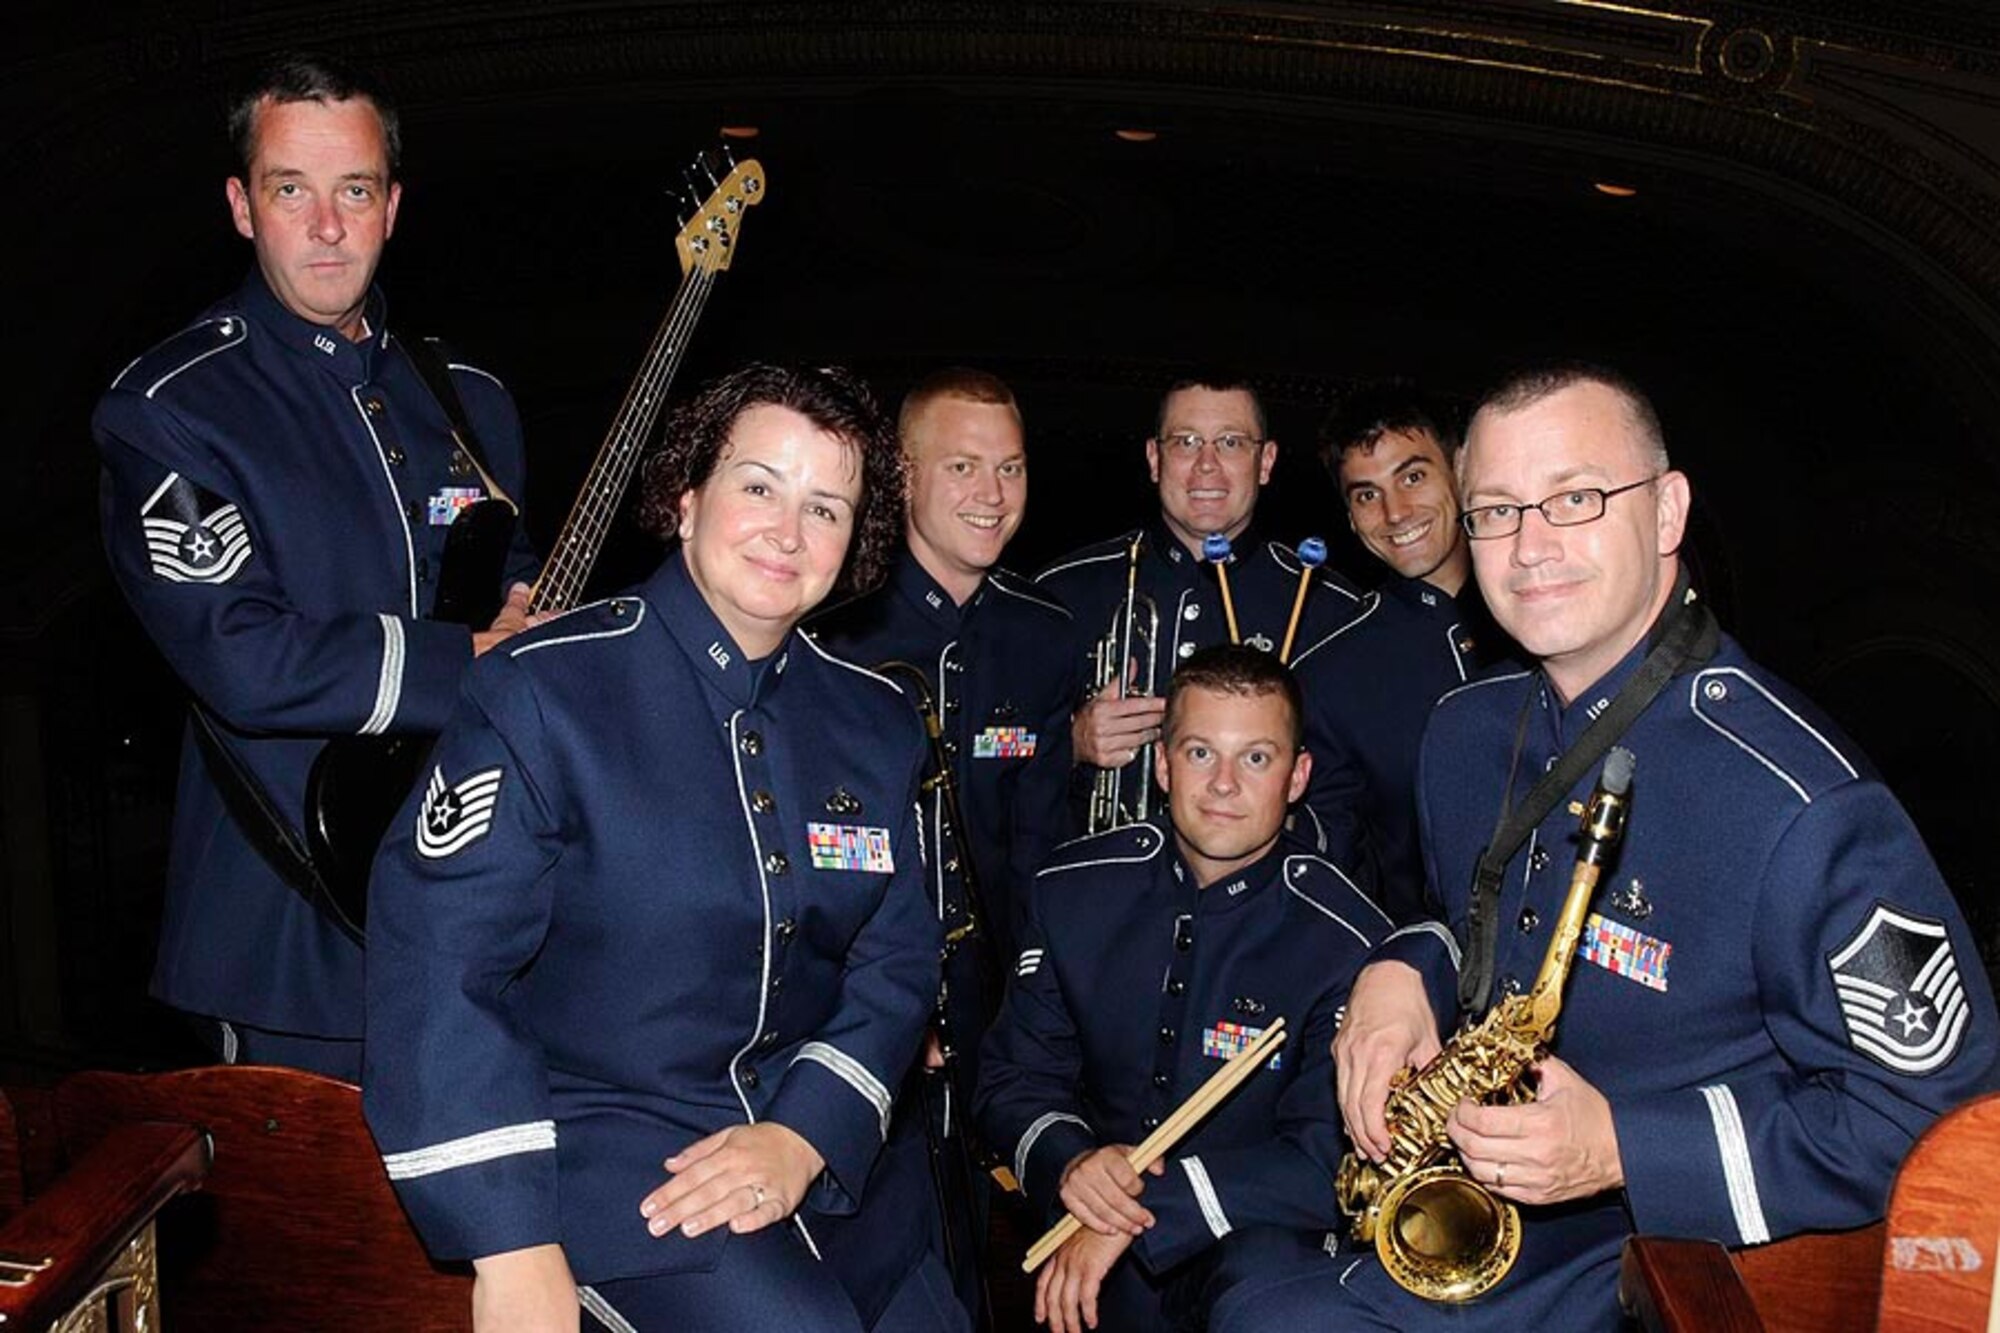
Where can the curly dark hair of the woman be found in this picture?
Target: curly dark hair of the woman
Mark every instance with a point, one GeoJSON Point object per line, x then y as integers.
{"type": "Point", "coordinates": [833, 399]}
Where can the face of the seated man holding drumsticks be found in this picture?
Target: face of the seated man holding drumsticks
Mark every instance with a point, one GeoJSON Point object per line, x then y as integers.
{"type": "Point", "coordinates": [1229, 766]}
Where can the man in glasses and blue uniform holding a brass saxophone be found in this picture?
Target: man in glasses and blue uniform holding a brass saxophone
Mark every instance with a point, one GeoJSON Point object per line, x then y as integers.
{"type": "Point", "coordinates": [1773, 992]}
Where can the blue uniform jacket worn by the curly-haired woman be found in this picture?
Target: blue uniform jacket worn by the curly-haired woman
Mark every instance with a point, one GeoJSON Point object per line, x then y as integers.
{"type": "Point", "coordinates": [653, 892]}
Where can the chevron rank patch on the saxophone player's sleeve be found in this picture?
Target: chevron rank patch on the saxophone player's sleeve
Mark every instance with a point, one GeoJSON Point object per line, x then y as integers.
{"type": "Point", "coordinates": [1899, 992]}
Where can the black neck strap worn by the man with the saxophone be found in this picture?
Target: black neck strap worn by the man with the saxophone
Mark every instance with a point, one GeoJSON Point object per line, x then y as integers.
{"type": "Point", "coordinates": [1687, 639]}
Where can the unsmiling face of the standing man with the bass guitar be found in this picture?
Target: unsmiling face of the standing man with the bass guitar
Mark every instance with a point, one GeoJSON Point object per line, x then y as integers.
{"type": "Point", "coordinates": [319, 207]}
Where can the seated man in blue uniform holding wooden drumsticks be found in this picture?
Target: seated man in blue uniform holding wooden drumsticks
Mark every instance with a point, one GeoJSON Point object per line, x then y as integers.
{"type": "Point", "coordinates": [1153, 954]}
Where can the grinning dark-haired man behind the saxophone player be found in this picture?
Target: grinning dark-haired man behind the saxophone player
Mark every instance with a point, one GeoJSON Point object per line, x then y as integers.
{"type": "Point", "coordinates": [1423, 631]}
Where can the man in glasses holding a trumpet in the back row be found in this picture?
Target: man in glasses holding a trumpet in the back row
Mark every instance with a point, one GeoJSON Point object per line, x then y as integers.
{"type": "Point", "coordinates": [1209, 457]}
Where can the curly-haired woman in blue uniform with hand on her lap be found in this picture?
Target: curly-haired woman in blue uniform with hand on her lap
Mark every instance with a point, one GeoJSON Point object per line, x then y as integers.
{"type": "Point", "coordinates": [653, 948]}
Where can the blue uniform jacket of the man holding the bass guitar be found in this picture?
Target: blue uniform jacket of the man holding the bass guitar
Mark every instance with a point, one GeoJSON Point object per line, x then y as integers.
{"type": "Point", "coordinates": [275, 509]}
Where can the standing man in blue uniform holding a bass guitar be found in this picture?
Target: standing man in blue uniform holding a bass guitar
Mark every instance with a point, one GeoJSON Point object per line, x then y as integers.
{"type": "Point", "coordinates": [279, 483]}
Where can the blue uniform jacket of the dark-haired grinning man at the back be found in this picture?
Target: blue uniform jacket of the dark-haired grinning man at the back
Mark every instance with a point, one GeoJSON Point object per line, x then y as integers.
{"type": "Point", "coordinates": [1369, 692]}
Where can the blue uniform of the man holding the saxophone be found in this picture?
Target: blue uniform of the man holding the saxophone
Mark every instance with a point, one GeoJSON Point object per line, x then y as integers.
{"type": "Point", "coordinates": [1775, 990]}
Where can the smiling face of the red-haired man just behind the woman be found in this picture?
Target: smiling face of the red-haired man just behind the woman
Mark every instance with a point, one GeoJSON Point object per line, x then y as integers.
{"type": "Point", "coordinates": [969, 489]}
